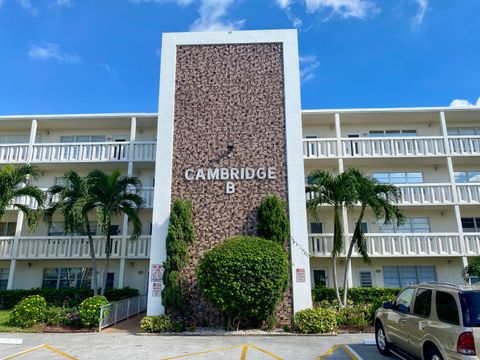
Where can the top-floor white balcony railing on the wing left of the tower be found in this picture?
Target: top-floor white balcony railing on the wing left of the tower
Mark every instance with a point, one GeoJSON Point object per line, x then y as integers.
{"type": "Point", "coordinates": [78, 152]}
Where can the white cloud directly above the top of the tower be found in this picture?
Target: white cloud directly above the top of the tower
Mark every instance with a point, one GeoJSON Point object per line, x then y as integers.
{"type": "Point", "coordinates": [211, 14]}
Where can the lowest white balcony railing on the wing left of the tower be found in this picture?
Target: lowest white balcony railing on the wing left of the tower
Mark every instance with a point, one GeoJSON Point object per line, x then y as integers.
{"type": "Point", "coordinates": [71, 247]}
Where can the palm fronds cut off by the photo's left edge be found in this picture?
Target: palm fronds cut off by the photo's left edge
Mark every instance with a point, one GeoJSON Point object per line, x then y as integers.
{"type": "Point", "coordinates": [15, 183]}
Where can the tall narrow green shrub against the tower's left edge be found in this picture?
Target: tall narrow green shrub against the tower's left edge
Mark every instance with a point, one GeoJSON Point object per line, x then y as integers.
{"type": "Point", "coordinates": [180, 235]}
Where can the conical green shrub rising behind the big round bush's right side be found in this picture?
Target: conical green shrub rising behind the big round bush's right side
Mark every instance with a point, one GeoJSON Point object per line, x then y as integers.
{"type": "Point", "coordinates": [272, 221]}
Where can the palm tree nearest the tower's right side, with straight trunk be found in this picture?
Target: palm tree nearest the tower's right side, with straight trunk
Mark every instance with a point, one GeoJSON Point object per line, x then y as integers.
{"type": "Point", "coordinates": [339, 192]}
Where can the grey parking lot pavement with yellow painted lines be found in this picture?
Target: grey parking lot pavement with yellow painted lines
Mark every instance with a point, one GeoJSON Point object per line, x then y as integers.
{"type": "Point", "coordinates": [126, 346]}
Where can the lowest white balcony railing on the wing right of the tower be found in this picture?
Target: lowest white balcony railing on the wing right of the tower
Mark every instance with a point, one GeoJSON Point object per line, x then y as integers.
{"type": "Point", "coordinates": [391, 245]}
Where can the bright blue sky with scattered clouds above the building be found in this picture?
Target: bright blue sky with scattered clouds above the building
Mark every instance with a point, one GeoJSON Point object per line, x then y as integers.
{"type": "Point", "coordinates": [88, 56]}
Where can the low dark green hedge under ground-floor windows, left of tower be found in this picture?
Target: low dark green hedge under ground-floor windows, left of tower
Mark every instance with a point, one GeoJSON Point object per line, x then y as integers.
{"type": "Point", "coordinates": [61, 297]}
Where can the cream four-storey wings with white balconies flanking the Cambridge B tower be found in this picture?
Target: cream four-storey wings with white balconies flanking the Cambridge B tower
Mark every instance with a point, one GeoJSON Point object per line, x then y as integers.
{"type": "Point", "coordinates": [431, 154]}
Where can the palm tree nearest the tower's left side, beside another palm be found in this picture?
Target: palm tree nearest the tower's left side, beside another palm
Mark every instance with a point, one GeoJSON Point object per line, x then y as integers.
{"type": "Point", "coordinates": [113, 194]}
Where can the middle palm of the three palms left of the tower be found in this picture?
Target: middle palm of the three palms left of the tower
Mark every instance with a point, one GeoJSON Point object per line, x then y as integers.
{"type": "Point", "coordinates": [64, 199]}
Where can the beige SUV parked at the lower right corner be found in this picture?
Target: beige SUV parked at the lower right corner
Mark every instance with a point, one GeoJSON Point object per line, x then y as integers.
{"type": "Point", "coordinates": [431, 321]}
